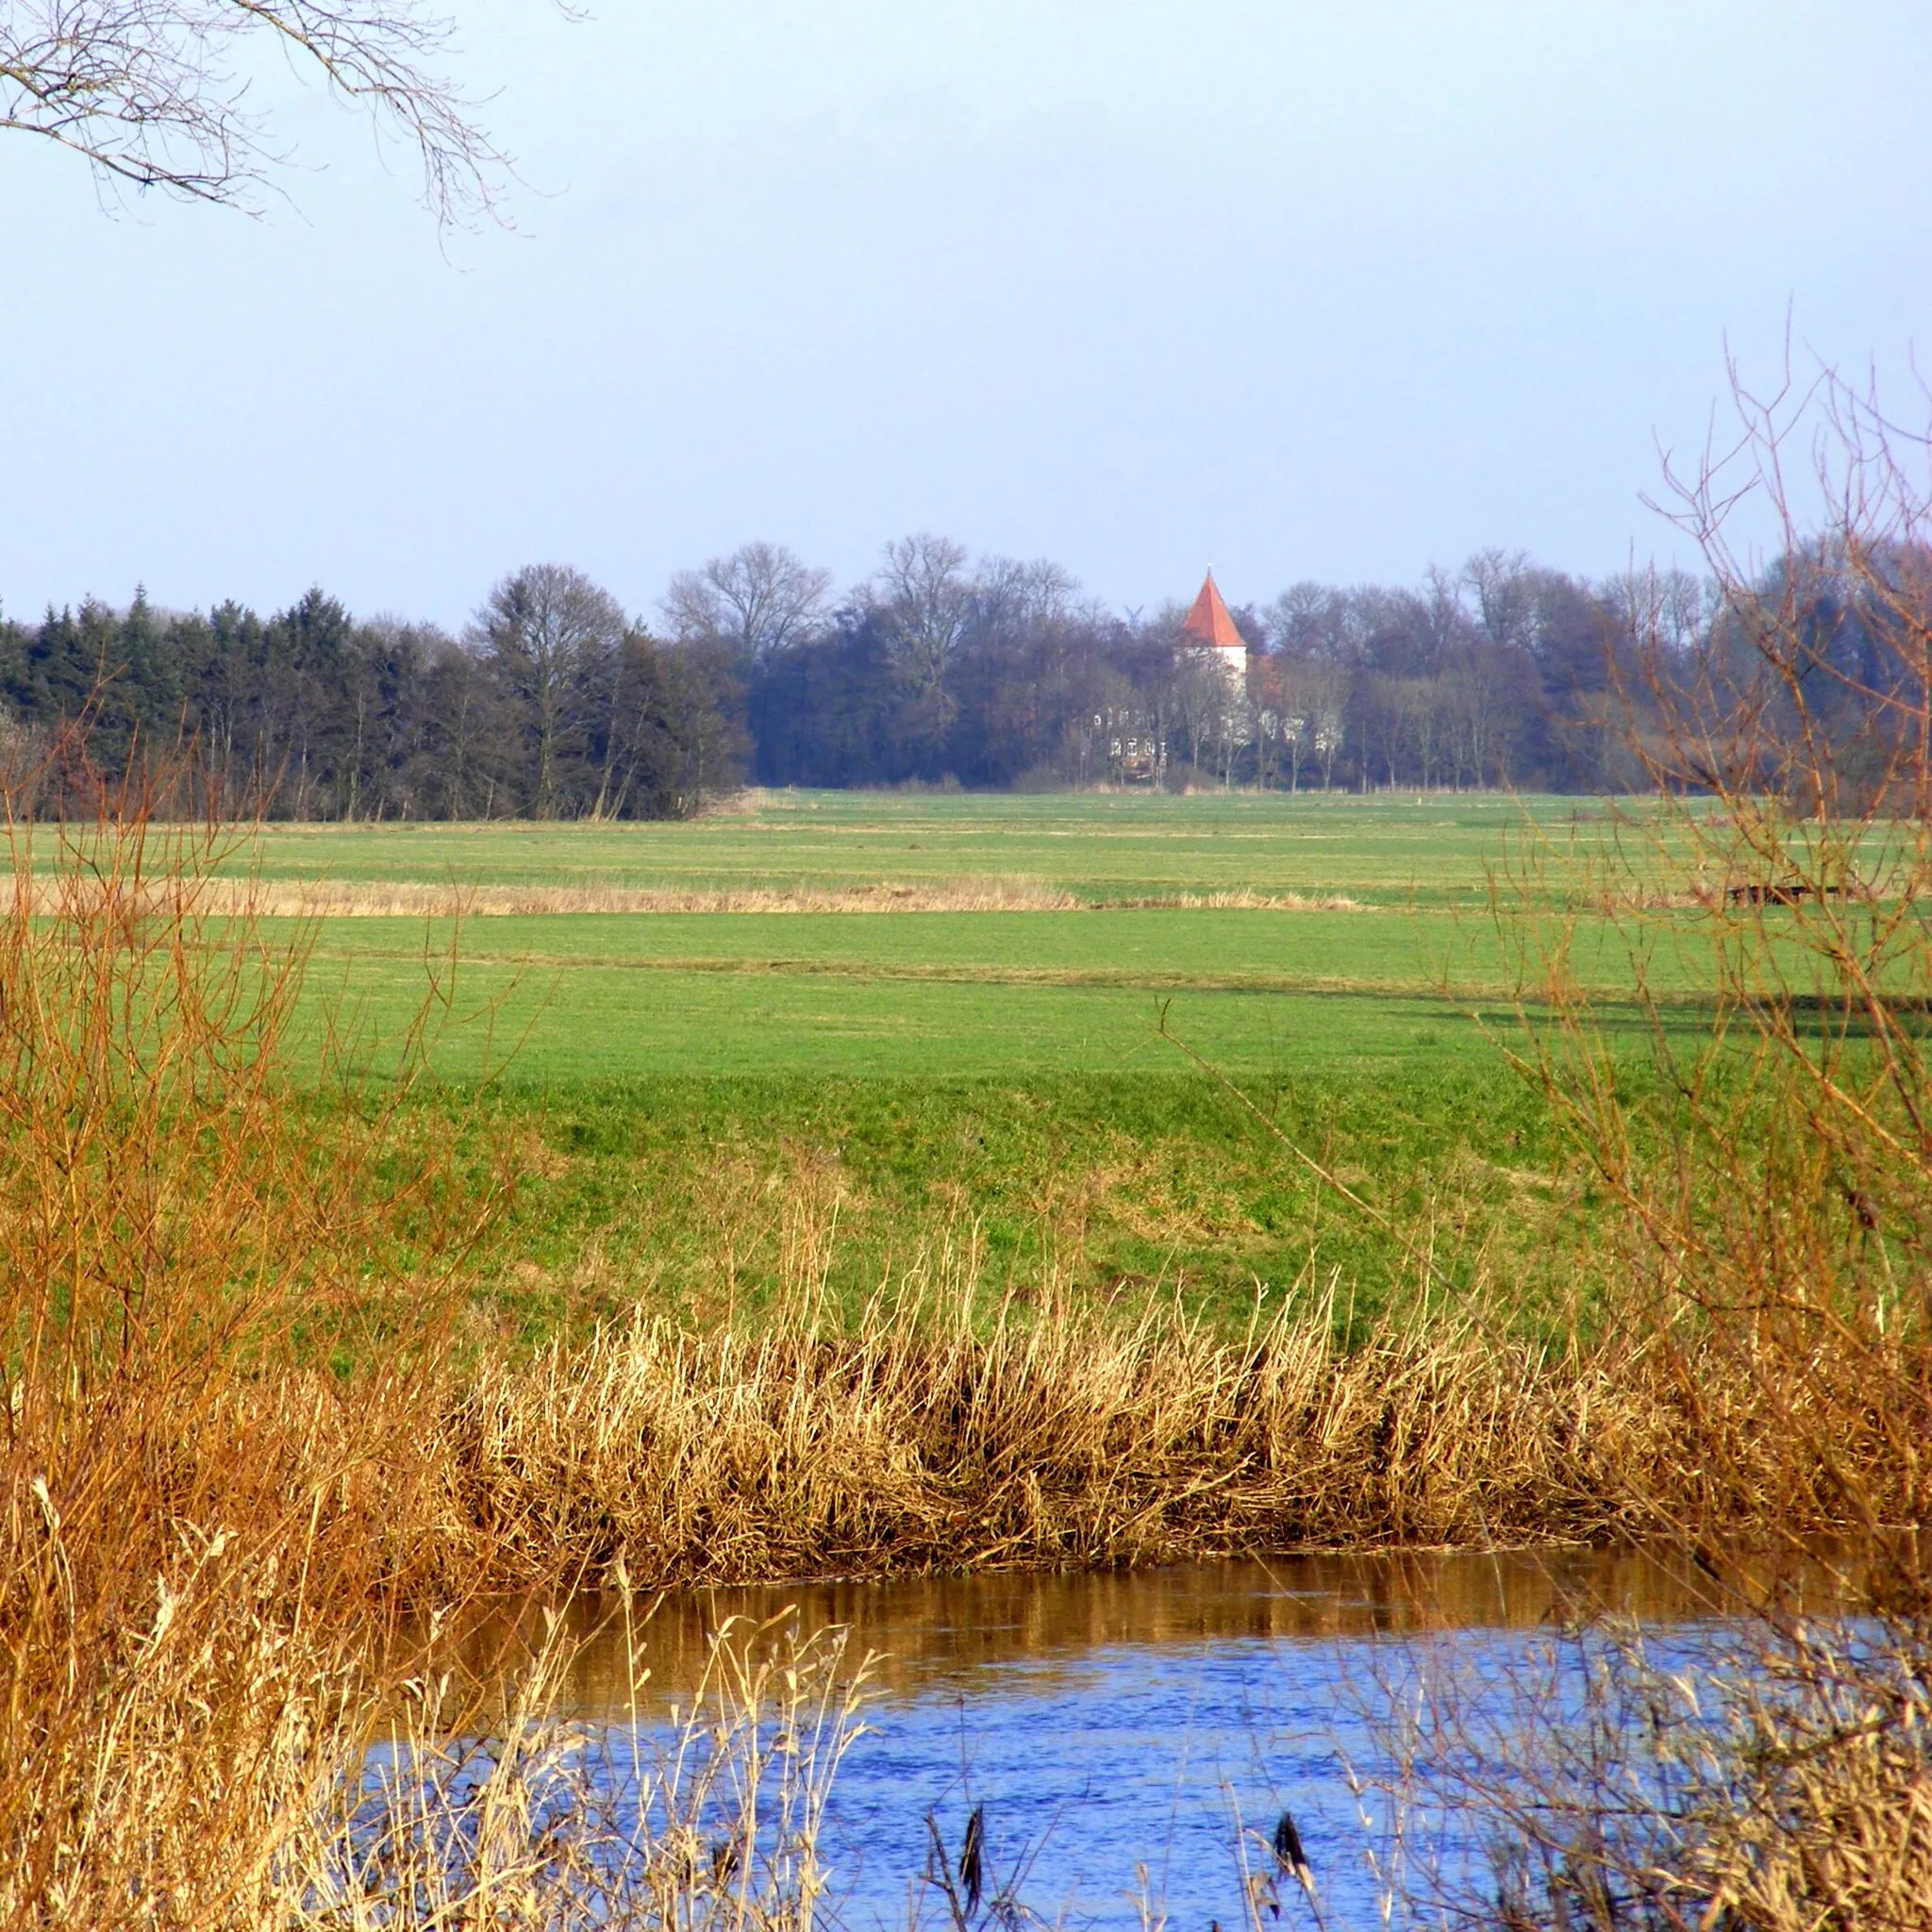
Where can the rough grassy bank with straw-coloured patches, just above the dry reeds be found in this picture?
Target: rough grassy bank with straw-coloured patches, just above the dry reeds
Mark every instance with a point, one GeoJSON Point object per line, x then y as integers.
{"type": "Point", "coordinates": [685, 1197]}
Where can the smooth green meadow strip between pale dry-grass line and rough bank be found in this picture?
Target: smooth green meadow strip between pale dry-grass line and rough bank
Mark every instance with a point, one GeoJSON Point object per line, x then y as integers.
{"type": "Point", "coordinates": [892, 996]}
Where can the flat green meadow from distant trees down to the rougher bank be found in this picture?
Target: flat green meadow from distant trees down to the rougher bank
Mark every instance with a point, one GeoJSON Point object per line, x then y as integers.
{"type": "Point", "coordinates": [592, 996]}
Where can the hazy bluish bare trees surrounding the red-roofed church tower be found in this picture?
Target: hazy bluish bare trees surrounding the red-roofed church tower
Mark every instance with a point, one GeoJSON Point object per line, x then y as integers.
{"type": "Point", "coordinates": [1004, 675]}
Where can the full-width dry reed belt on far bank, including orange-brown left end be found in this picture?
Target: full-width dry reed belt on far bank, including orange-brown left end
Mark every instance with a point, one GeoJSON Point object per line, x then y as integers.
{"type": "Point", "coordinates": [1060, 1438]}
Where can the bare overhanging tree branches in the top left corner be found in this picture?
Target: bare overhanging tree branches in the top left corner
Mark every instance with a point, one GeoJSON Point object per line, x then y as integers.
{"type": "Point", "coordinates": [159, 94]}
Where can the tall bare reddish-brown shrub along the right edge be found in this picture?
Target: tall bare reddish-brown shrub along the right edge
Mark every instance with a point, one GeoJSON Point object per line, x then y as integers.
{"type": "Point", "coordinates": [1767, 1174]}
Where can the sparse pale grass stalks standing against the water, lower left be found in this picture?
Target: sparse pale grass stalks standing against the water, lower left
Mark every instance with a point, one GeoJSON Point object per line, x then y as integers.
{"type": "Point", "coordinates": [515, 1819]}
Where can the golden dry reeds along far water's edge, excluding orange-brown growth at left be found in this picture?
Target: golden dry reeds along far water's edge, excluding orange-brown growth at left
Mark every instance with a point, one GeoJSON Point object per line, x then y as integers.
{"type": "Point", "coordinates": [1069, 1440]}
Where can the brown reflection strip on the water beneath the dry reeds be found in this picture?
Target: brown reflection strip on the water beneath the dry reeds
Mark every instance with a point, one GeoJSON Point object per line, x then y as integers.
{"type": "Point", "coordinates": [942, 1634]}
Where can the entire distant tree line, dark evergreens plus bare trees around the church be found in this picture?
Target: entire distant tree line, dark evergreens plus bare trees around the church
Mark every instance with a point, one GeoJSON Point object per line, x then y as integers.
{"type": "Point", "coordinates": [940, 669]}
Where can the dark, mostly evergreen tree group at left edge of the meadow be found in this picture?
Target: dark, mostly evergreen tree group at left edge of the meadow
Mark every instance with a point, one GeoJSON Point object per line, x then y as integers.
{"type": "Point", "coordinates": [552, 704]}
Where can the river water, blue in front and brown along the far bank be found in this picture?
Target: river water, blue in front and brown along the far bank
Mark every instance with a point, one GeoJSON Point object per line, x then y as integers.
{"type": "Point", "coordinates": [1116, 1726]}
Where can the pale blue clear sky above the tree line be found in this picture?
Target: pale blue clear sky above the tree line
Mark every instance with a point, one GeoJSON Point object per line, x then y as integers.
{"type": "Point", "coordinates": [1299, 291]}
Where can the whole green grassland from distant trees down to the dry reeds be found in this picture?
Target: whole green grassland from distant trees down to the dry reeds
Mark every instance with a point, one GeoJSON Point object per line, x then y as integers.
{"type": "Point", "coordinates": [1021, 1089]}
